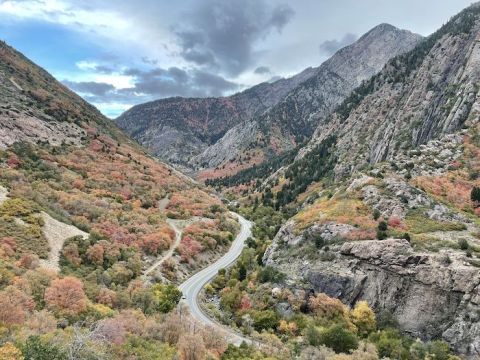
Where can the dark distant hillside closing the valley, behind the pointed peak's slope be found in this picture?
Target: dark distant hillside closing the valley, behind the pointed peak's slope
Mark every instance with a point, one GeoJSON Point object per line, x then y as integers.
{"type": "Point", "coordinates": [176, 129]}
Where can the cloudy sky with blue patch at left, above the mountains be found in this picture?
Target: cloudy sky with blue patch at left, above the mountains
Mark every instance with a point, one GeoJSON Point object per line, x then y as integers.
{"type": "Point", "coordinates": [117, 53]}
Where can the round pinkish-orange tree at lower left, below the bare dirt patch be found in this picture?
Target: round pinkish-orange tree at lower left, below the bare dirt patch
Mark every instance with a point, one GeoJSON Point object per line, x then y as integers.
{"type": "Point", "coordinates": [66, 296]}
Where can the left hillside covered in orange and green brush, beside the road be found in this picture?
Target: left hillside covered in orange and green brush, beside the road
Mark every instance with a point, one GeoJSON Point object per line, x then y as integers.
{"type": "Point", "coordinates": [83, 213]}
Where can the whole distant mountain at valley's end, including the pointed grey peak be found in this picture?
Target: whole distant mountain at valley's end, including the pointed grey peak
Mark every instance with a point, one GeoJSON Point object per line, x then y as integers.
{"type": "Point", "coordinates": [236, 132]}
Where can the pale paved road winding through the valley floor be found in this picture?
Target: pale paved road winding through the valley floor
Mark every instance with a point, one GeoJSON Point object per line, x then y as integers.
{"type": "Point", "coordinates": [191, 288]}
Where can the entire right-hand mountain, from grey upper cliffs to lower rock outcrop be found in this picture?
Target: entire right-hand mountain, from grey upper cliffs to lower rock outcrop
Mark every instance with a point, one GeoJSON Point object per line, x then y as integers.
{"type": "Point", "coordinates": [383, 195]}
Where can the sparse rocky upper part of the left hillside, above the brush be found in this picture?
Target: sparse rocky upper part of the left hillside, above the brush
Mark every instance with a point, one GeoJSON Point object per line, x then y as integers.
{"type": "Point", "coordinates": [37, 108]}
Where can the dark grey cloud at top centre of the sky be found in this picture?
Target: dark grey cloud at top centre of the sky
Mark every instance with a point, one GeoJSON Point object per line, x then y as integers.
{"type": "Point", "coordinates": [221, 34]}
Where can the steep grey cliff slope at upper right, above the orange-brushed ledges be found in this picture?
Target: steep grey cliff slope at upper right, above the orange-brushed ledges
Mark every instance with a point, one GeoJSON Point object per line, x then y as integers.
{"type": "Point", "coordinates": [428, 92]}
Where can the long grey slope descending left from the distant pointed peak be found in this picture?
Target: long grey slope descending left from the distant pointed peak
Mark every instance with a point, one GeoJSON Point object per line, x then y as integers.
{"type": "Point", "coordinates": [293, 120]}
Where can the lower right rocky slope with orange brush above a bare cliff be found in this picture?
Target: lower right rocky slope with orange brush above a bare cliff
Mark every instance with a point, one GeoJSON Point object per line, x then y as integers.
{"type": "Point", "coordinates": [426, 273]}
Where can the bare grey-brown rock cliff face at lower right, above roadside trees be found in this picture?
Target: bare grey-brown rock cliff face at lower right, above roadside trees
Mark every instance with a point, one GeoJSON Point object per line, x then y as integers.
{"type": "Point", "coordinates": [431, 295]}
